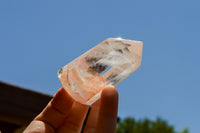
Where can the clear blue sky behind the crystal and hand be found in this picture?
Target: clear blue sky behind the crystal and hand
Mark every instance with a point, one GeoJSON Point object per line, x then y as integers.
{"type": "Point", "coordinates": [39, 37]}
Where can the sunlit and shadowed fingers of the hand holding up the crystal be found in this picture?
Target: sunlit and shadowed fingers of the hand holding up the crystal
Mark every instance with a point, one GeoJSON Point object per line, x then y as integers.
{"type": "Point", "coordinates": [64, 115]}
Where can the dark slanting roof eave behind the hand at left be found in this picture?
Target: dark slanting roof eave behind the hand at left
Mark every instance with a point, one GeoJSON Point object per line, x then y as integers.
{"type": "Point", "coordinates": [19, 105]}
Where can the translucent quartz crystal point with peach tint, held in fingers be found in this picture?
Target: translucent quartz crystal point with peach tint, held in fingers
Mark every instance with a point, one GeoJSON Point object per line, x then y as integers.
{"type": "Point", "coordinates": [108, 63]}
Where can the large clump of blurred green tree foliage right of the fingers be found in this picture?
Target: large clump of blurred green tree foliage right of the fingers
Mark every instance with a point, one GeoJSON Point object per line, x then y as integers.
{"type": "Point", "coordinates": [130, 125]}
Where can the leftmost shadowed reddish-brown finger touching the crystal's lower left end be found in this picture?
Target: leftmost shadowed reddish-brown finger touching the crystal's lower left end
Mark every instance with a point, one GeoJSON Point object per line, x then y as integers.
{"type": "Point", "coordinates": [57, 109]}
